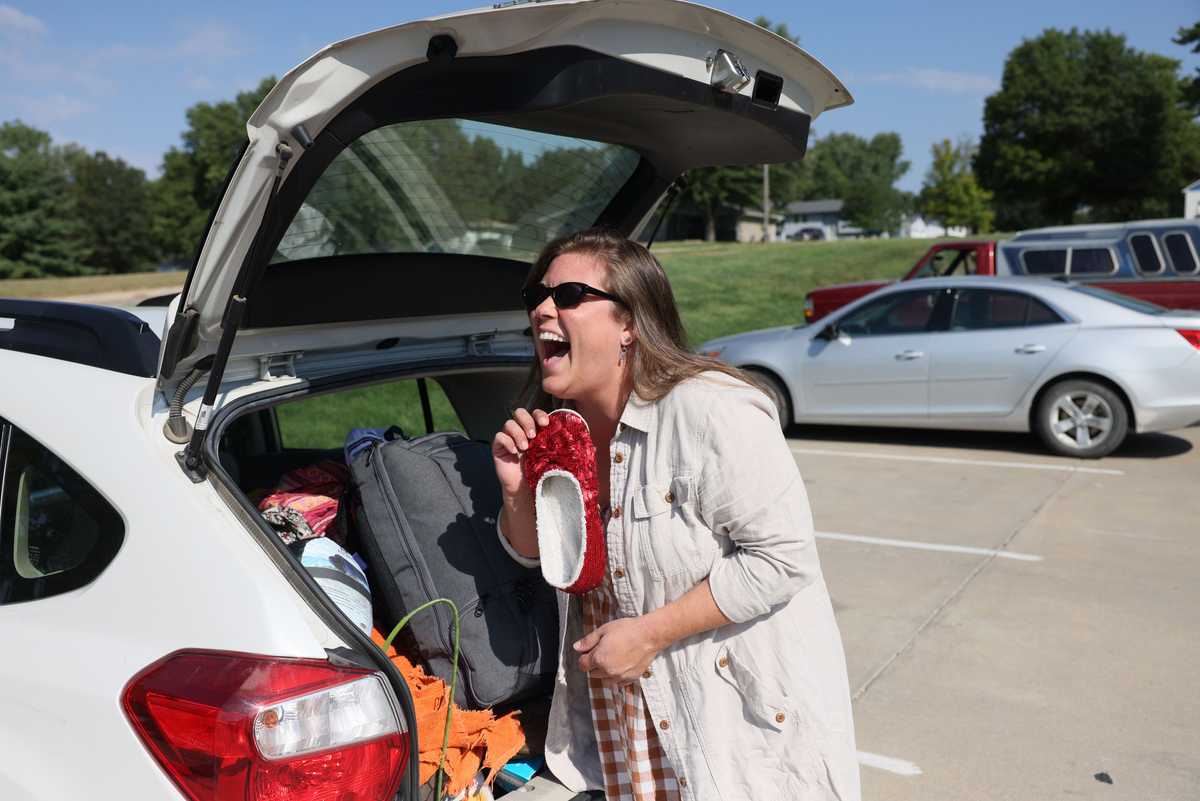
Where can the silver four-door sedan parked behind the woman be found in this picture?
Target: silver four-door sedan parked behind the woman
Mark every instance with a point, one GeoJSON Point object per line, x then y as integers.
{"type": "Point", "coordinates": [1079, 366]}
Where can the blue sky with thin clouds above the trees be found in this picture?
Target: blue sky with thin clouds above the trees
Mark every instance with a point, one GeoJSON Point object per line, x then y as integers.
{"type": "Point", "coordinates": [118, 76]}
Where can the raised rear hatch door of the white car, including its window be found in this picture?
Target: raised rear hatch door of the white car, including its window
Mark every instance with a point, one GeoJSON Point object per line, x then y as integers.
{"type": "Point", "coordinates": [404, 180]}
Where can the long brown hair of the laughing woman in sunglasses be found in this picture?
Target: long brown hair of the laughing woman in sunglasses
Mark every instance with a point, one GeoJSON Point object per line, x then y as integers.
{"type": "Point", "coordinates": [661, 358]}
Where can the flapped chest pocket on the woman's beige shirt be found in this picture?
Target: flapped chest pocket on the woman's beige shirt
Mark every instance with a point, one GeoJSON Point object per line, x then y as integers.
{"type": "Point", "coordinates": [665, 528]}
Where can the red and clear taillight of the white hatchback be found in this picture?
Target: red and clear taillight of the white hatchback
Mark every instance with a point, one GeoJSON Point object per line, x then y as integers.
{"type": "Point", "coordinates": [238, 727]}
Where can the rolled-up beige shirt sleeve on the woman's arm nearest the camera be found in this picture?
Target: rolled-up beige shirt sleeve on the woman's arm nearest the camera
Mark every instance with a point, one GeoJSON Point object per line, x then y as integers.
{"type": "Point", "coordinates": [751, 491]}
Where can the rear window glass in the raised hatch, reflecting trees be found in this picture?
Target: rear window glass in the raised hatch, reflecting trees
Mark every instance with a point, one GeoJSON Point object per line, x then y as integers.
{"type": "Point", "coordinates": [455, 186]}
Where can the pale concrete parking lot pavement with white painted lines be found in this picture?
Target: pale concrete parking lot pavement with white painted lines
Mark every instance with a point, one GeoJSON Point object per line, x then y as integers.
{"type": "Point", "coordinates": [1017, 625]}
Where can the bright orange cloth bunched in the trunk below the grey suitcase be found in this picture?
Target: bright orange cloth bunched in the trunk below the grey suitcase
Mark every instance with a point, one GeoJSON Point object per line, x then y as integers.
{"type": "Point", "coordinates": [478, 739]}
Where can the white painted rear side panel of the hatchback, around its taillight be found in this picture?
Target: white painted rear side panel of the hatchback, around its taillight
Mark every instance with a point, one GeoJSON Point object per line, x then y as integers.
{"type": "Point", "coordinates": [188, 576]}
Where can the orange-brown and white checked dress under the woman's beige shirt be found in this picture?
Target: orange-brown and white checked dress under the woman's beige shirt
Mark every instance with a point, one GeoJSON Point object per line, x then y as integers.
{"type": "Point", "coordinates": [635, 766]}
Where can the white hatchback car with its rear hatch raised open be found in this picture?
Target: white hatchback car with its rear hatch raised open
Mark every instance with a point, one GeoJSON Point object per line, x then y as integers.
{"type": "Point", "coordinates": [159, 640]}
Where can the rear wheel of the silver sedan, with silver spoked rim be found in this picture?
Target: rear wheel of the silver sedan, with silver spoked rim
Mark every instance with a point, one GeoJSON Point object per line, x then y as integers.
{"type": "Point", "coordinates": [1082, 419]}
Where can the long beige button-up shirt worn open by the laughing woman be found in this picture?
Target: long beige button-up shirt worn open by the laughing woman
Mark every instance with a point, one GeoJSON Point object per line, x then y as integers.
{"type": "Point", "coordinates": [704, 485]}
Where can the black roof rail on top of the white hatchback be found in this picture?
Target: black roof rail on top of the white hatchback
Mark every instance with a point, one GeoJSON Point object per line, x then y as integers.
{"type": "Point", "coordinates": [98, 336]}
